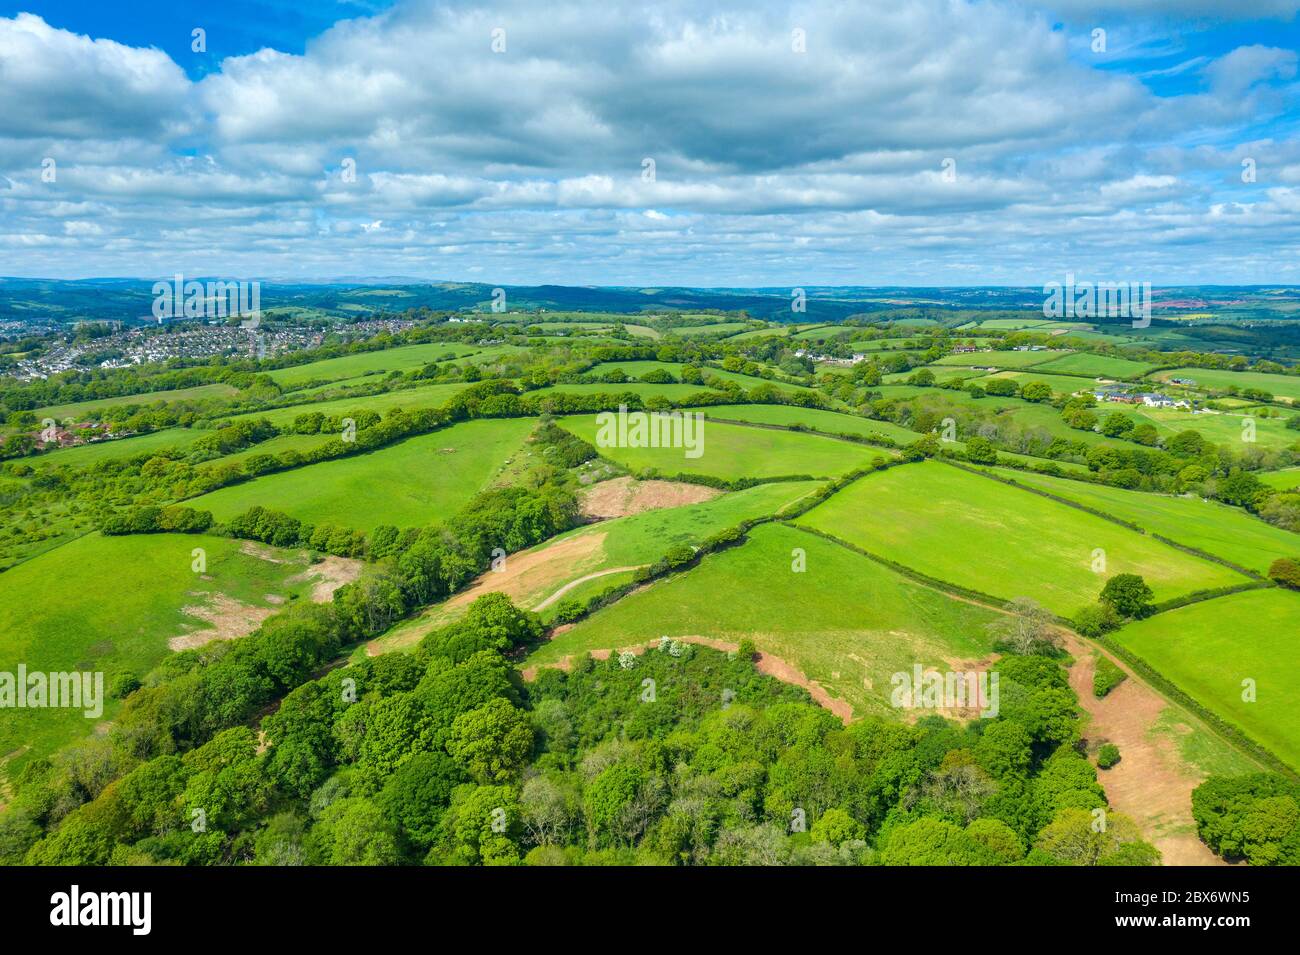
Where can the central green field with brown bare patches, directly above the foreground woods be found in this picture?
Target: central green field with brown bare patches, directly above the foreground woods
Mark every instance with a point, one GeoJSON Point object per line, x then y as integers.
{"type": "Point", "coordinates": [846, 622]}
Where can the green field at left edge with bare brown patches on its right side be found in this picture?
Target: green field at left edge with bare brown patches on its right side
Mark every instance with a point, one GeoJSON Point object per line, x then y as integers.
{"type": "Point", "coordinates": [111, 604]}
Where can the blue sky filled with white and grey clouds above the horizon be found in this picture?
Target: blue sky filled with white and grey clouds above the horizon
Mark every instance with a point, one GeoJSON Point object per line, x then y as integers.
{"type": "Point", "coordinates": [887, 142]}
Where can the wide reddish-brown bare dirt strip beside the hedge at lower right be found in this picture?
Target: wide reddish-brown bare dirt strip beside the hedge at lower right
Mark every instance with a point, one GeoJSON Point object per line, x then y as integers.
{"type": "Point", "coordinates": [1151, 784]}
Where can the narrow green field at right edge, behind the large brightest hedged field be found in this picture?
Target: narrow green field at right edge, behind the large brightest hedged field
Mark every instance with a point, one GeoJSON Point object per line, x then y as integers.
{"type": "Point", "coordinates": [1207, 526]}
